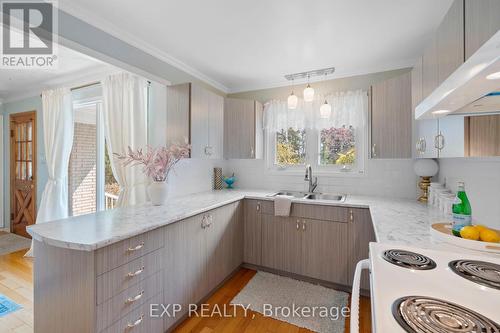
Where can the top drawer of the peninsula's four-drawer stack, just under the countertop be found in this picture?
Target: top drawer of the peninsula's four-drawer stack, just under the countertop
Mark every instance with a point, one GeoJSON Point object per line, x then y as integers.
{"type": "Point", "coordinates": [127, 250]}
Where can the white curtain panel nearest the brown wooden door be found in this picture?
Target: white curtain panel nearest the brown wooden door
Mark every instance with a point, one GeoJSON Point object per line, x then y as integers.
{"type": "Point", "coordinates": [57, 120]}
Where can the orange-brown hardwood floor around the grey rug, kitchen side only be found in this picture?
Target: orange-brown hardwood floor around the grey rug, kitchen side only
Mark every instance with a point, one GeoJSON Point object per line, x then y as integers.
{"type": "Point", "coordinates": [254, 321]}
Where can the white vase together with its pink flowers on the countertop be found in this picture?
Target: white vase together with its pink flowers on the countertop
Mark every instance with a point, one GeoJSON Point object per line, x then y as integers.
{"type": "Point", "coordinates": [157, 164]}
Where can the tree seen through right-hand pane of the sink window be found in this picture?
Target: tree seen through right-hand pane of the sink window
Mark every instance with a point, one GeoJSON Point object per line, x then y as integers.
{"type": "Point", "coordinates": [337, 146]}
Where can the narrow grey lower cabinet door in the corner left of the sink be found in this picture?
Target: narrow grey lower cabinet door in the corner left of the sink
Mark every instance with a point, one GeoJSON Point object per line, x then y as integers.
{"type": "Point", "coordinates": [252, 230]}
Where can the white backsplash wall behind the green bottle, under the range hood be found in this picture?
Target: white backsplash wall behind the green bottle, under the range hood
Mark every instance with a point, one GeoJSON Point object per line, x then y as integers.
{"type": "Point", "coordinates": [482, 185]}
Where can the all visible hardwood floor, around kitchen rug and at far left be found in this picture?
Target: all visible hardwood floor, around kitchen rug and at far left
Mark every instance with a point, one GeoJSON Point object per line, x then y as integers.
{"type": "Point", "coordinates": [16, 283]}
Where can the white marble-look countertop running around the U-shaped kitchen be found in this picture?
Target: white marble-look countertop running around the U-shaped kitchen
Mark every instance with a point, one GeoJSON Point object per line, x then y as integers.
{"type": "Point", "coordinates": [395, 220]}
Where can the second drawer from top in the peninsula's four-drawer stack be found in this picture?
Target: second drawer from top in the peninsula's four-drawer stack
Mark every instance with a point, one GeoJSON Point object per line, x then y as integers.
{"type": "Point", "coordinates": [119, 279]}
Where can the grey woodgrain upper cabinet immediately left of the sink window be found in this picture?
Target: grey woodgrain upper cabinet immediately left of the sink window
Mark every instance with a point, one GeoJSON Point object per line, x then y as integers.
{"type": "Point", "coordinates": [239, 128]}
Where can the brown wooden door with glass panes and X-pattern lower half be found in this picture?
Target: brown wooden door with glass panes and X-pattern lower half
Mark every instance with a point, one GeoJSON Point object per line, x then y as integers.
{"type": "Point", "coordinates": [22, 172]}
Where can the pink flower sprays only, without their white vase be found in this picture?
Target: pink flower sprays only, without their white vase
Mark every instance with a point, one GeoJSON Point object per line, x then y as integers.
{"type": "Point", "coordinates": [156, 162]}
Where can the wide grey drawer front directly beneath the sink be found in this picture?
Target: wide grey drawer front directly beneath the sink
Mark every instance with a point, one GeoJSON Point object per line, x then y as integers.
{"type": "Point", "coordinates": [319, 212]}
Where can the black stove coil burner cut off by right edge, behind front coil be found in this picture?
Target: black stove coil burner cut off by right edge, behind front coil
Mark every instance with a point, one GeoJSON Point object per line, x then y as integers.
{"type": "Point", "coordinates": [482, 272]}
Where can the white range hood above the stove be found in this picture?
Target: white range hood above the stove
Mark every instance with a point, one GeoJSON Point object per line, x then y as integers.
{"type": "Point", "coordinates": [468, 86]}
